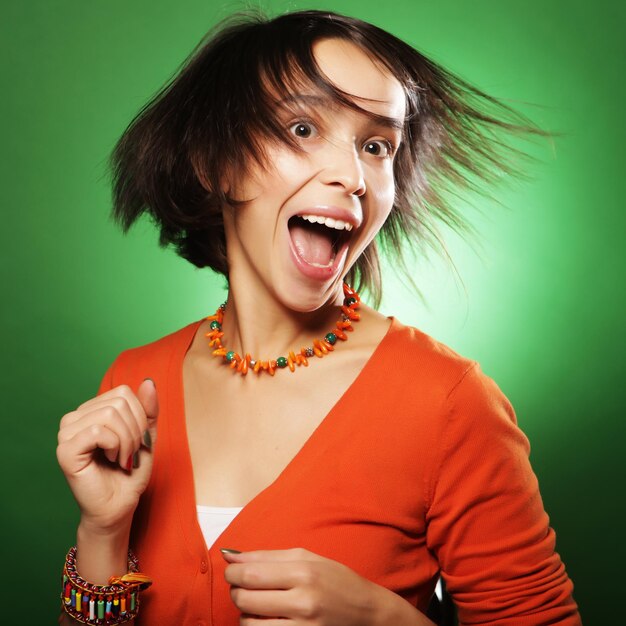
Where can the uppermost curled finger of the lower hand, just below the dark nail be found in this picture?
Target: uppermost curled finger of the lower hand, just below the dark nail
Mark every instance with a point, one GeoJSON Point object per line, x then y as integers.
{"type": "Point", "coordinates": [270, 575]}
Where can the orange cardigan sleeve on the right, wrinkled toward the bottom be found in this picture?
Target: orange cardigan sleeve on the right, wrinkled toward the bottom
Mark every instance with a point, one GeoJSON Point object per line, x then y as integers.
{"type": "Point", "coordinates": [485, 519]}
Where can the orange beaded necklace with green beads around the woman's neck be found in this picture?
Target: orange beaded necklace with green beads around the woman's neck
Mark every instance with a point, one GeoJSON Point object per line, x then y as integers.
{"type": "Point", "coordinates": [320, 348]}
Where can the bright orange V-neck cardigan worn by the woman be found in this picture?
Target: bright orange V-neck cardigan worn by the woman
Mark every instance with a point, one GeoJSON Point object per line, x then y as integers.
{"type": "Point", "coordinates": [419, 469]}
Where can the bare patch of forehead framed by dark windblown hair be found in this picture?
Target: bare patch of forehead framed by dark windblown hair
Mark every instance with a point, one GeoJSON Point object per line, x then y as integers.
{"type": "Point", "coordinates": [354, 72]}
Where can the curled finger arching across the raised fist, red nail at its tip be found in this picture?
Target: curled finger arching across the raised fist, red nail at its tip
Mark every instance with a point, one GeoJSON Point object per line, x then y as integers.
{"type": "Point", "coordinates": [122, 426]}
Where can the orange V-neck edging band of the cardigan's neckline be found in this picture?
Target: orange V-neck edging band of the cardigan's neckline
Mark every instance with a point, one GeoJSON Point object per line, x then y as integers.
{"type": "Point", "coordinates": [180, 455]}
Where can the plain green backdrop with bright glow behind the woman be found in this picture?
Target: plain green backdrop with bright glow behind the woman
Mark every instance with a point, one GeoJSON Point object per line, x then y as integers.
{"type": "Point", "coordinates": [541, 293]}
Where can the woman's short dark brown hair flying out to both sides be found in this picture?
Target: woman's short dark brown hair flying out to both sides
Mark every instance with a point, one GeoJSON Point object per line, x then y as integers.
{"type": "Point", "coordinates": [218, 112]}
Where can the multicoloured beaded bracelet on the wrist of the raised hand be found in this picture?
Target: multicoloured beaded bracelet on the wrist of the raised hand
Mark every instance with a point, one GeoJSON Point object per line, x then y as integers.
{"type": "Point", "coordinates": [104, 605]}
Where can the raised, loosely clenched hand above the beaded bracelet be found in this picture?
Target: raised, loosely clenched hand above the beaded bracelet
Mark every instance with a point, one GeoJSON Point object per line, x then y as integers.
{"type": "Point", "coordinates": [96, 445]}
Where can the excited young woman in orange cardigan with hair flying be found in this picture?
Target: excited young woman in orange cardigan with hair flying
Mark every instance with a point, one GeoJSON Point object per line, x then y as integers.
{"type": "Point", "coordinates": [297, 457]}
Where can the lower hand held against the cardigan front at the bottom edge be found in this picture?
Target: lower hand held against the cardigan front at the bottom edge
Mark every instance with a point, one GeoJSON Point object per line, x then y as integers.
{"type": "Point", "coordinates": [303, 588]}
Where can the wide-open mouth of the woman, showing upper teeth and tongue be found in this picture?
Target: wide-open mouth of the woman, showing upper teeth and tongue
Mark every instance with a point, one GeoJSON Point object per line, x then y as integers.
{"type": "Point", "coordinates": [317, 239]}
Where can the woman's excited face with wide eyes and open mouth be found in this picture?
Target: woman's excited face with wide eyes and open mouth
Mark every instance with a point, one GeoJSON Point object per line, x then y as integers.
{"type": "Point", "coordinates": [310, 214]}
